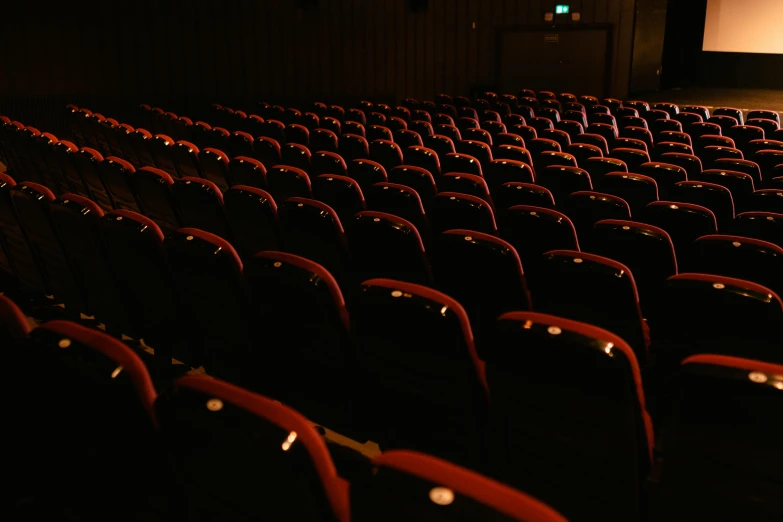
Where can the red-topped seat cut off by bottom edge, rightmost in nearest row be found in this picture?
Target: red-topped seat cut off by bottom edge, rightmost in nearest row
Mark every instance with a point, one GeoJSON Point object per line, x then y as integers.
{"type": "Point", "coordinates": [396, 491]}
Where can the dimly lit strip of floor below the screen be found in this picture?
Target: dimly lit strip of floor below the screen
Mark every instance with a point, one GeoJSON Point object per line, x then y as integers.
{"type": "Point", "coordinates": [745, 99]}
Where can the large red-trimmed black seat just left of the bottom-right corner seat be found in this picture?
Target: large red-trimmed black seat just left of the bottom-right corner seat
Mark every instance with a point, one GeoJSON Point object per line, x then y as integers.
{"type": "Point", "coordinates": [593, 423]}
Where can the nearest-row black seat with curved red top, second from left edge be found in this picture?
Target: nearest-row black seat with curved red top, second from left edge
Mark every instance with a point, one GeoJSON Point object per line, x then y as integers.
{"type": "Point", "coordinates": [98, 396]}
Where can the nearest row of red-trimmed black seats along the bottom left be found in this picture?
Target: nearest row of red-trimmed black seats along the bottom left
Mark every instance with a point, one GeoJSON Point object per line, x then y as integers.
{"type": "Point", "coordinates": [234, 454]}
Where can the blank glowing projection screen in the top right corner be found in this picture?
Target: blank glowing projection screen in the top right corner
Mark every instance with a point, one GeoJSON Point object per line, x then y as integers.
{"type": "Point", "coordinates": [744, 26]}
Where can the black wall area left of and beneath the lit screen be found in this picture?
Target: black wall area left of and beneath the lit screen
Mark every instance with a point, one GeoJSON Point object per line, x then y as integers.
{"type": "Point", "coordinates": [685, 64]}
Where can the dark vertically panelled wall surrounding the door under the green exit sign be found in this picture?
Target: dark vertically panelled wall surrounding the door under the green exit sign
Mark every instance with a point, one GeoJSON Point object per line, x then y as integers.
{"type": "Point", "coordinates": [174, 50]}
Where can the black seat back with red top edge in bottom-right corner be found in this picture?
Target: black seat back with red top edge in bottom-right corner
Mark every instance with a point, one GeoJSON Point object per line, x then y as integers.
{"type": "Point", "coordinates": [721, 439]}
